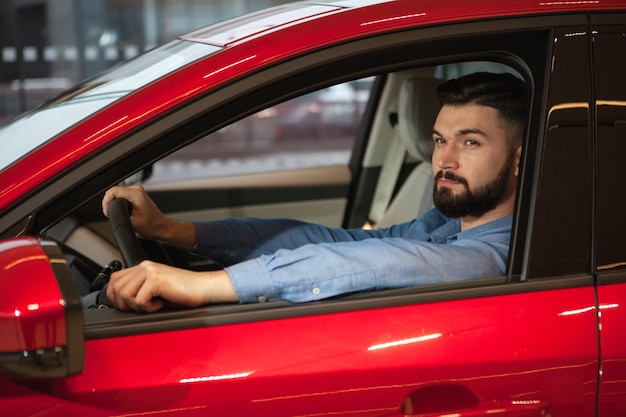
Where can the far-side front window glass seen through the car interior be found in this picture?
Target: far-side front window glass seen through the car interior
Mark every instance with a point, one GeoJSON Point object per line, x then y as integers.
{"type": "Point", "coordinates": [314, 130]}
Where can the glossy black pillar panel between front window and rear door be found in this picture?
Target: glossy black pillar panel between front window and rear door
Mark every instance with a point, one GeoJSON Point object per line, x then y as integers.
{"type": "Point", "coordinates": [561, 237]}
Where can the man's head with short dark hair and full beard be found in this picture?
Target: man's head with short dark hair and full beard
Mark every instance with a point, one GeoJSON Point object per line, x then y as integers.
{"type": "Point", "coordinates": [473, 166]}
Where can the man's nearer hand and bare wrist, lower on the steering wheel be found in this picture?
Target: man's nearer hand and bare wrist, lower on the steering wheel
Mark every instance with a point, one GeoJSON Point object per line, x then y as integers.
{"type": "Point", "coordinates": [149, 285]}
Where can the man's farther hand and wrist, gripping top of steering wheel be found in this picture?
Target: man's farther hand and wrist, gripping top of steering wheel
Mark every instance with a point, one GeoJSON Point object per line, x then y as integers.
{"type": "Point", "coordinates": [148, 221]}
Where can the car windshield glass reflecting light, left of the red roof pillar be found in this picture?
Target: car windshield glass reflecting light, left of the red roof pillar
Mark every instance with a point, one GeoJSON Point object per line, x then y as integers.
{"type": "Point", "coordinates": [41, 124]}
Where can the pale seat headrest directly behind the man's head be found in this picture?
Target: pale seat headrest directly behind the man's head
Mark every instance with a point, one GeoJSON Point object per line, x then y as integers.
{"type": "Point", "coordinates": [418, 106]}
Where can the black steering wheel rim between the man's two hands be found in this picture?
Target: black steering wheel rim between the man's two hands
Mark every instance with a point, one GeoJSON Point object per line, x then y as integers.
{"type": "Point", "coordinates": [124, 234]}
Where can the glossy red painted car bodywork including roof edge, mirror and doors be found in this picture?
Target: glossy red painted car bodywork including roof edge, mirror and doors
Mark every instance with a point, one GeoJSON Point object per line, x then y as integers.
{"type": "Point", "coordinates": [464, 355]}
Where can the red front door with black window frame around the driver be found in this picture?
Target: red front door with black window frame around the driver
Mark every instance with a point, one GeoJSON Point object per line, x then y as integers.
{"type": "Point", "coordinates": [523, 344]}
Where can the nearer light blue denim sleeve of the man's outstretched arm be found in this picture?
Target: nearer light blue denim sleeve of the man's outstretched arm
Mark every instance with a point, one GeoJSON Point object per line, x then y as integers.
{"type": "Point", "coordinates": [314, 272]}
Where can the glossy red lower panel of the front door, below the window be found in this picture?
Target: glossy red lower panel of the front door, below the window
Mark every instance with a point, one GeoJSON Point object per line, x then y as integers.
{"type": "Point", "coordinates": [350, 368]}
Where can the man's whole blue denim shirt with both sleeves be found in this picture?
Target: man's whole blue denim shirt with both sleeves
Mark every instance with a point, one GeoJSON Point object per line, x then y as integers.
{"type": "Point", "coordinates": [281, 259]}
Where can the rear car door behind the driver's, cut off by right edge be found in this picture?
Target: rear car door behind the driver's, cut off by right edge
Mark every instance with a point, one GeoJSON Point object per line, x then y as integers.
{"type": "Point", "coordinates": [610, 100]}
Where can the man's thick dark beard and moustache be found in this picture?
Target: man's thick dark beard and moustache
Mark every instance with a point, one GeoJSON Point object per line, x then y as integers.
{"type": "Point", "coordinates": [472, 203]}
